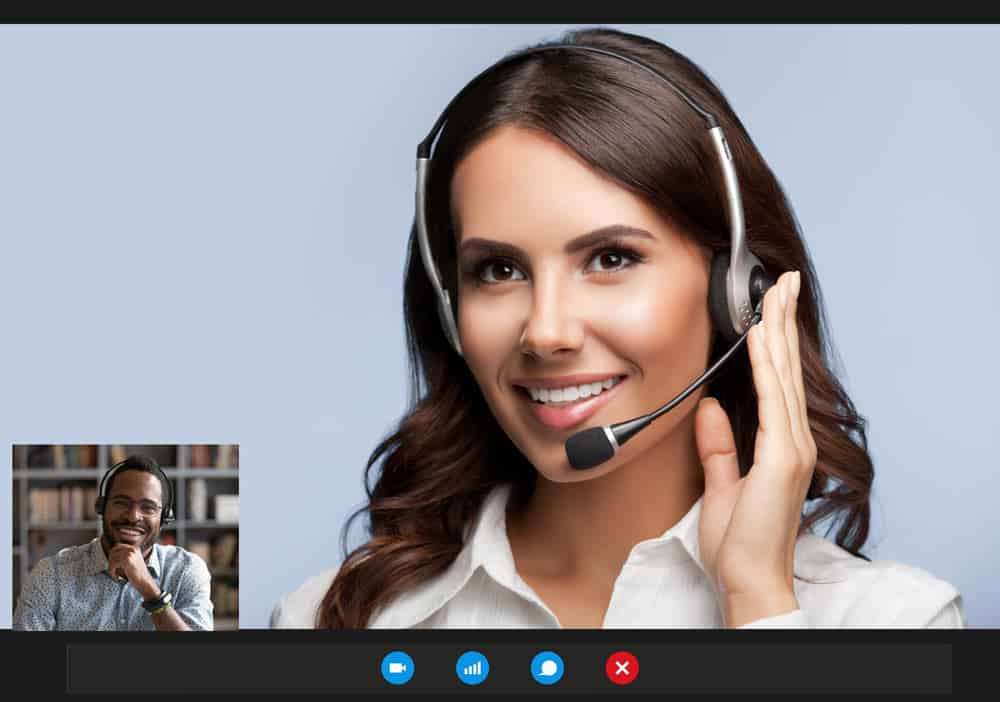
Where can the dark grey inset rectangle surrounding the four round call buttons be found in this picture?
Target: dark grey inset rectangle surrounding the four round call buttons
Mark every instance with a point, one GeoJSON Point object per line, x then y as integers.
{"type": "Point", "coordinates": [753, 667]}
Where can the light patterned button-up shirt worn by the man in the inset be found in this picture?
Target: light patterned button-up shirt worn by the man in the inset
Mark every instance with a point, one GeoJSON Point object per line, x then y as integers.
{"type": "Point", "coordinates": [73, 590]}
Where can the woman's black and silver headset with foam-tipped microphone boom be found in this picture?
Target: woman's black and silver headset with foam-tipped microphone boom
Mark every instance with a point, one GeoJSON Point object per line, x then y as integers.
{"type": "Point", "coordinates": [738, 280]}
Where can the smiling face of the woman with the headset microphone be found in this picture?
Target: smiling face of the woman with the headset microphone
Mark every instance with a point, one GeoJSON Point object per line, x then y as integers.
{"type": "Point", "coordinates": [620, 305]}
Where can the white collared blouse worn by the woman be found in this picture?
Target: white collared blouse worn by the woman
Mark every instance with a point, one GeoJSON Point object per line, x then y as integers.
{"type": "Point", "coordinates": [663, 584]}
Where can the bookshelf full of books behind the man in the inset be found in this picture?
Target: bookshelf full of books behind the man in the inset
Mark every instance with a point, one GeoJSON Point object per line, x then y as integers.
{"type": "Point", "coordinates": [55, 487]}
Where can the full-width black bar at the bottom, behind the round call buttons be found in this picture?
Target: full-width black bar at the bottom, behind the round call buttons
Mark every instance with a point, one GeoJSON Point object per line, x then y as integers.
{"type": "Point", "coordinates": [281, 662]}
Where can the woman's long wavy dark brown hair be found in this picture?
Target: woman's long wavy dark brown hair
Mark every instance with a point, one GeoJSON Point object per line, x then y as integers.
{"type": "Point", "coordinates": [448, 451]}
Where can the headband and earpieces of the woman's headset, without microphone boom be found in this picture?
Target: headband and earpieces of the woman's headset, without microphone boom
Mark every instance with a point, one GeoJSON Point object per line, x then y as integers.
{"type": "Point", "coordinates": [738, 280]}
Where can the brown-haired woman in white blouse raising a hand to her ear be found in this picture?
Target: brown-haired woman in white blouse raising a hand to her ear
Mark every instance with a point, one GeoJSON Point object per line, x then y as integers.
{"type": "Point", "coordinates": [575, 209]}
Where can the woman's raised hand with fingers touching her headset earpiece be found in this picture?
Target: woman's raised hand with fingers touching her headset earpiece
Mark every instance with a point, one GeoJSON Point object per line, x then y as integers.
{"type": "Point", "coordinates": [749, 525]}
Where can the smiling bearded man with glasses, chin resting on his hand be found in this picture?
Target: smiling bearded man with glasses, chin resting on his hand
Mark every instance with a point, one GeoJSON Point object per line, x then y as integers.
{"type": "Point", "coordinates": [122, 580]}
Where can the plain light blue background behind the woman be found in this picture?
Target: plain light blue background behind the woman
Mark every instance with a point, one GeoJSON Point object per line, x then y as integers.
{"type": "Point", "coordinates": [203, 232]}
